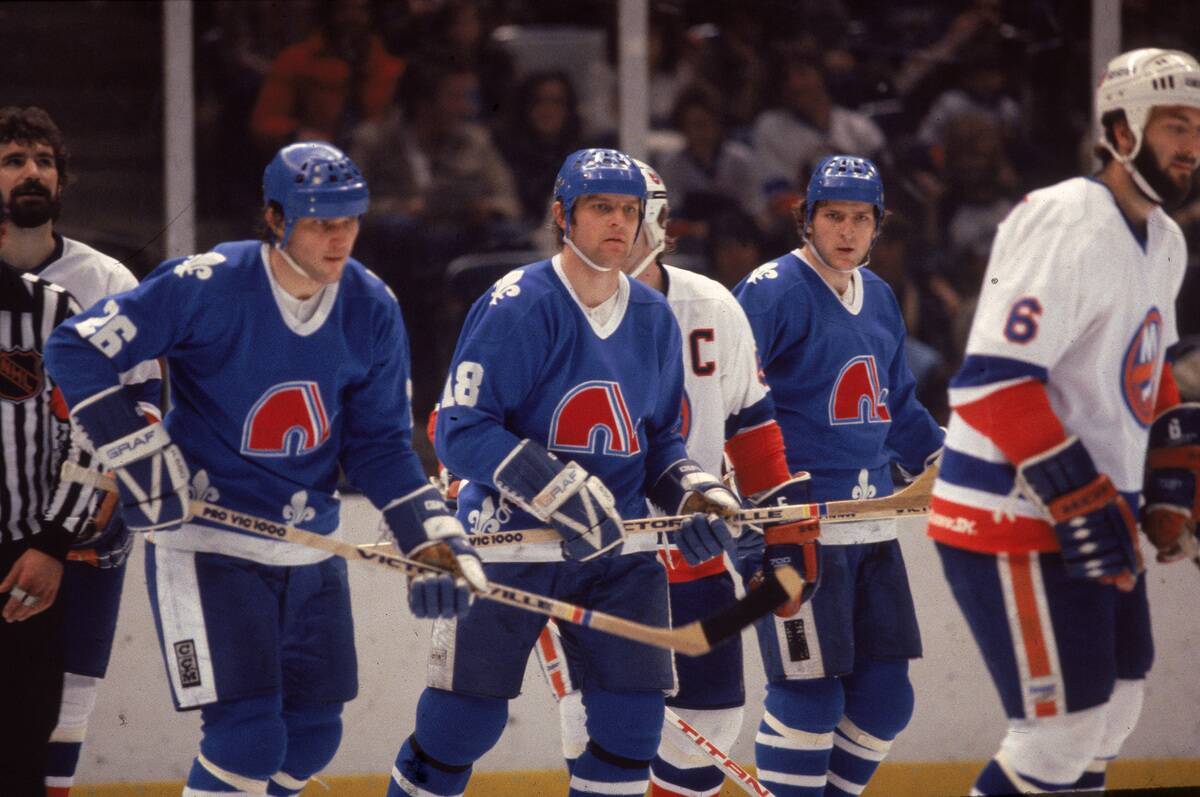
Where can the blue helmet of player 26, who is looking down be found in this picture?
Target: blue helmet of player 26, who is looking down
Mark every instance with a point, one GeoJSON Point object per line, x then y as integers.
{"type": "Point", "coordinates": [314, 179]}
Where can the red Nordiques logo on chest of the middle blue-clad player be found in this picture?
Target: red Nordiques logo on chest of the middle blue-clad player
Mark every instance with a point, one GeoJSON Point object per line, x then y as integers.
{"type": "Point", "coordinates": [593, 418]}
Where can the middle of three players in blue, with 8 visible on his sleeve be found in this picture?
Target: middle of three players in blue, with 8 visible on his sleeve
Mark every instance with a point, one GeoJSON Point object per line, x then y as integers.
{"type": "Point", "coordinates": [562, 408]}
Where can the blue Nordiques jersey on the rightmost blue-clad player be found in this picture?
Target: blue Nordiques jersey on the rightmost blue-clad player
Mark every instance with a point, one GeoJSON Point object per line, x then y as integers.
{"type": "Point", "coordinates": [844, 393]}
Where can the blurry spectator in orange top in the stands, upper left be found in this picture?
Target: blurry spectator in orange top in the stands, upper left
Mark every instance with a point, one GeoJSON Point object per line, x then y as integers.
{"type": "Point", "coordinates": [322, 88]}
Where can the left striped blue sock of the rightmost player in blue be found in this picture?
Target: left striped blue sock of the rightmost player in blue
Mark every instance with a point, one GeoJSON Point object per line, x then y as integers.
{"type": "Point", "coordinates": [796, 736]}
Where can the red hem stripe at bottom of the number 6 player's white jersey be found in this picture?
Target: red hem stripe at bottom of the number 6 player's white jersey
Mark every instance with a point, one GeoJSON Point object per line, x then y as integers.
{"type": "Point", "coordinates": [979, 530]}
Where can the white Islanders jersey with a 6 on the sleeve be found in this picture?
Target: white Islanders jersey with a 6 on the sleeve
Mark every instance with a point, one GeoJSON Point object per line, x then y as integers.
{"type": "Point", "coordinates": [1072, 298]}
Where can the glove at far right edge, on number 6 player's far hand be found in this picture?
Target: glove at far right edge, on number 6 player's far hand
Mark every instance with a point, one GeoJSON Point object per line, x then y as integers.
{"type": "Point", "coordinates": [1173, 483]}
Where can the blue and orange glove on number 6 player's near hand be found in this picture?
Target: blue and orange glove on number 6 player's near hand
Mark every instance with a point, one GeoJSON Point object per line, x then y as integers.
{"type": "Point", "coordinates": [1096, 529]}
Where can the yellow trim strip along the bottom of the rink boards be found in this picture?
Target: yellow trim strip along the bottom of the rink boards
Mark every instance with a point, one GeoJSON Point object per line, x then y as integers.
{"type": "Point", "coordinates": [893, 780]}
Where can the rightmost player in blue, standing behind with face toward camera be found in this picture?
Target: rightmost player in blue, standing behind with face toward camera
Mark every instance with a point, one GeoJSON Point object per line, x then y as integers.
{"type": "Point", "coordinates": [831, 339]}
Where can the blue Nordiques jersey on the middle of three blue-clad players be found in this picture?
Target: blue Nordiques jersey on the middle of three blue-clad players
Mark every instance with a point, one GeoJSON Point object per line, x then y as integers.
{"type": "Point", "coordinates": [530, 364]}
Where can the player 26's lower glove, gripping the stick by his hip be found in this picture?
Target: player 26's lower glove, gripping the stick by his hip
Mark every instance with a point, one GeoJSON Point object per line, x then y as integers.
{"type": "Point", "coordinates": [424, 530]}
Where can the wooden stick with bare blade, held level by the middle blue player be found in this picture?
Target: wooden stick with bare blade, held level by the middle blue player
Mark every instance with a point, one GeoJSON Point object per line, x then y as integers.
{"type": "Point", "coordinates": [914, 500]}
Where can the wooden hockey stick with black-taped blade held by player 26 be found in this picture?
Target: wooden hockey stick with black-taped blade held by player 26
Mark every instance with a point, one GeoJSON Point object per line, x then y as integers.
{"type": "Point", "coordinates": [694, 639]}
